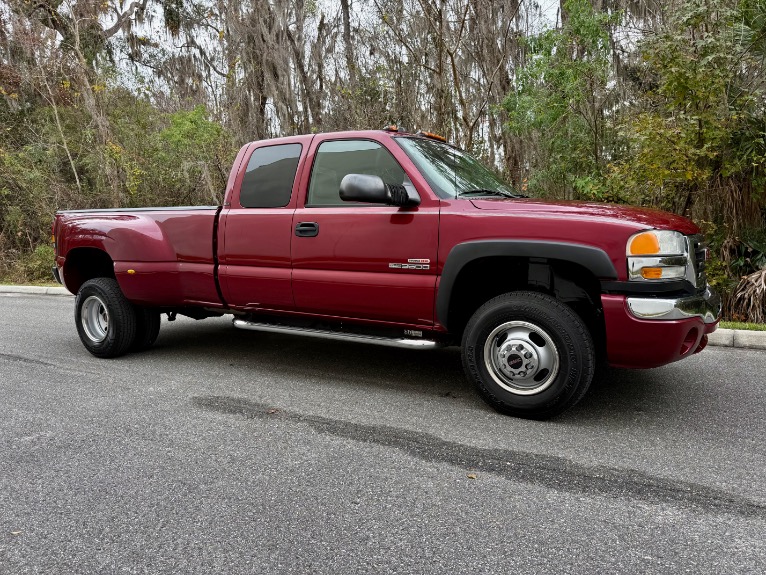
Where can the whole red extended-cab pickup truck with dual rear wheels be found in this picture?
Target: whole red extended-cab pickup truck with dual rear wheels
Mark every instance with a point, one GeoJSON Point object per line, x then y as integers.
{"type": "Point", "coordinates": [400, 239]}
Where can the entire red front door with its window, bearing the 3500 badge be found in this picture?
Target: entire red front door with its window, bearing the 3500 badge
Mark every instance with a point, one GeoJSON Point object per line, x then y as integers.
{"type": "Point", "coordinates": [363, 261]}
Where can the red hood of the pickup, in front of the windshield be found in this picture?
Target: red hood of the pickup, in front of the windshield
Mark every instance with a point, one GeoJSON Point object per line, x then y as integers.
{"type": "Point", "coordinates": [641, 217]}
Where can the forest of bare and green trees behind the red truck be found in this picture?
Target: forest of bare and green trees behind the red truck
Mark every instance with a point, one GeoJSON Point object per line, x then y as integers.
{"type": "Point", "coordinates": [114, 103]}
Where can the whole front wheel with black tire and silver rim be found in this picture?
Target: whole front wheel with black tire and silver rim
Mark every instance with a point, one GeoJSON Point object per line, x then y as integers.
{"type": "Point", "coordinates": [528, 354]}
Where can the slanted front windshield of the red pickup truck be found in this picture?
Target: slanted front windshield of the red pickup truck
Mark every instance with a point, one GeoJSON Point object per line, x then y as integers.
{"type": "Point", "coordinates": [451, 172]}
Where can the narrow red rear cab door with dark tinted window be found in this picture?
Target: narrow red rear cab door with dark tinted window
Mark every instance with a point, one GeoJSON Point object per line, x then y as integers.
{"type": "Point", "coordinates": [256, 229]}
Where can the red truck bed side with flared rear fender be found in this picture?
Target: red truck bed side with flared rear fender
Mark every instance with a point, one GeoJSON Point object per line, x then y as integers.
{"type": "Point", "coordinates": [159, 256]}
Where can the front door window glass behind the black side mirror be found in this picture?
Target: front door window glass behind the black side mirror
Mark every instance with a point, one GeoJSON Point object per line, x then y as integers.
{"type": "Point", "coordinates": [335, 159]}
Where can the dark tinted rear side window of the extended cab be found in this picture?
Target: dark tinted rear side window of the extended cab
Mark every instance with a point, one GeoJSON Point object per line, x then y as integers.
{"type": "Point", "coordinates": [269, 177]}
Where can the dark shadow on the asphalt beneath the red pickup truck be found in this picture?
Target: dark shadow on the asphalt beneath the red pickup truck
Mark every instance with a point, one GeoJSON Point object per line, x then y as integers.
{"type": "Point", "coordinates": [615, 394]}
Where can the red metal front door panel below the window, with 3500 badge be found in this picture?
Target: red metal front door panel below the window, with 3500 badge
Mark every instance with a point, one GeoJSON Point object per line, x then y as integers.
{"type": "Point", "coordinates": [360, 263]}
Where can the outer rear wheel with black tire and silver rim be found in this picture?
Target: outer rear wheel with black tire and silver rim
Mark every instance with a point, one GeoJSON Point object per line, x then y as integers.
{"type": "Point", "coordinates": [105, 319]}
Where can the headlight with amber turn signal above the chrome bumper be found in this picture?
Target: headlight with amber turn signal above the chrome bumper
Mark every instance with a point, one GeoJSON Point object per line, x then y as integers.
{"type": "Point", "coordinates": [657, 255]}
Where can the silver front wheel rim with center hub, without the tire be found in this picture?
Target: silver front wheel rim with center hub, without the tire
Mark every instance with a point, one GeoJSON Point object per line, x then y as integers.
{"type": "Point", "coordinates": [521, 358]}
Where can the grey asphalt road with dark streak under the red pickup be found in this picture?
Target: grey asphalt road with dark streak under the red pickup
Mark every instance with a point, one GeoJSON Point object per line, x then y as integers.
{"type": "Point", "coordinates": [225, 451]}
